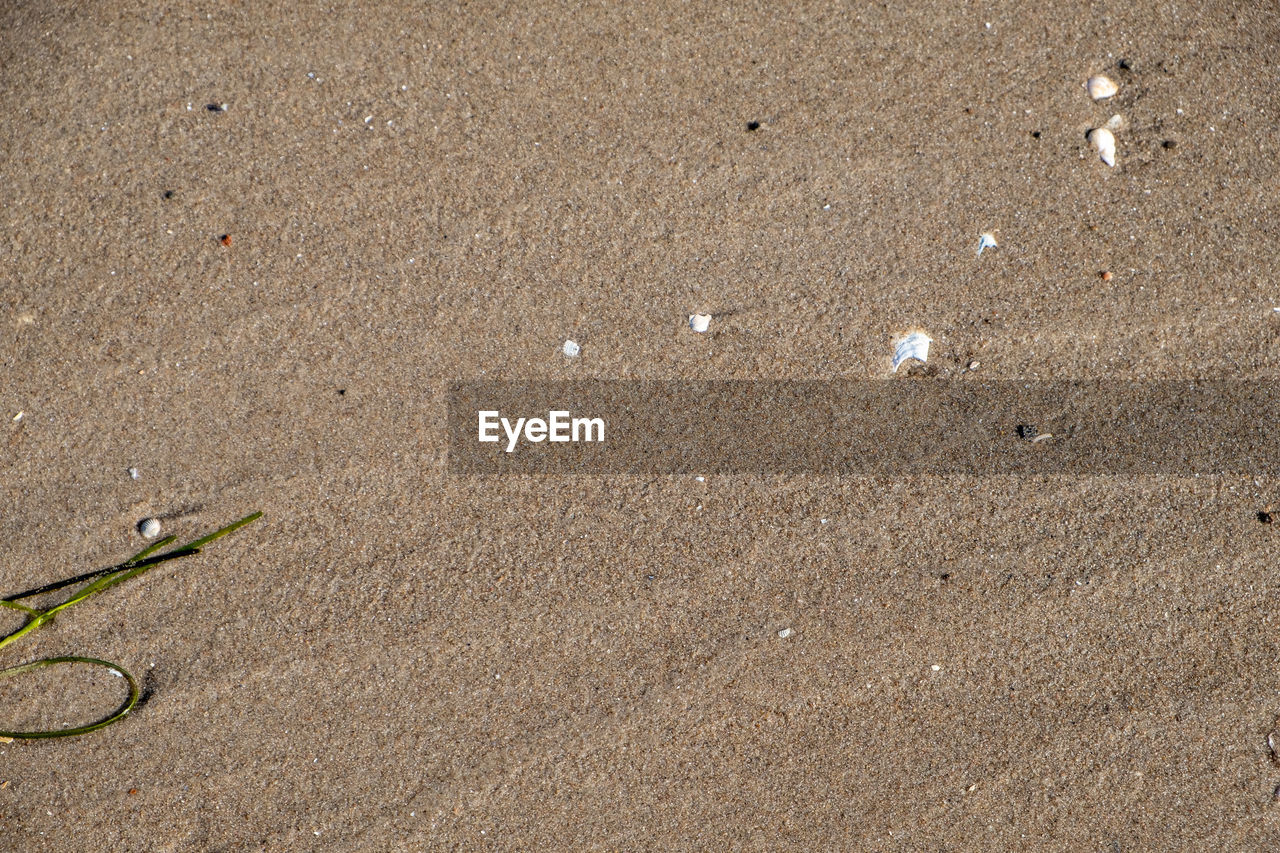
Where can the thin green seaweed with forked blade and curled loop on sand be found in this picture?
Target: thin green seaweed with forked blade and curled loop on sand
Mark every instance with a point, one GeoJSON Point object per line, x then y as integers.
{"type": "Point", "coordinates": [99, 582]}
